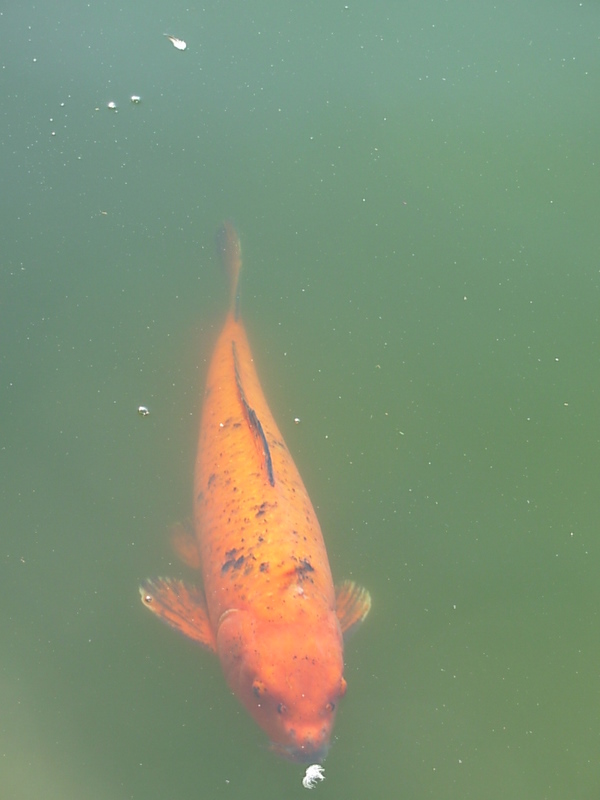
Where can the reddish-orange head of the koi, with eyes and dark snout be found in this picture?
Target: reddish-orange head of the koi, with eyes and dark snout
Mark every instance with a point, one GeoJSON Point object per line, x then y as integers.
{"type": "Point", "coordinates": [289, 680]}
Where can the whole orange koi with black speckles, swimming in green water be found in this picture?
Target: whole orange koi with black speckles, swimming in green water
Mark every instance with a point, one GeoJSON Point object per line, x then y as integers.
{"type": "Point", "coordinates": [268, 607]}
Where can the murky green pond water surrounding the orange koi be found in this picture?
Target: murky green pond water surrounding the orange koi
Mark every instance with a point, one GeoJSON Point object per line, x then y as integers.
{"type": "Point", "coordinates": [416, 188]}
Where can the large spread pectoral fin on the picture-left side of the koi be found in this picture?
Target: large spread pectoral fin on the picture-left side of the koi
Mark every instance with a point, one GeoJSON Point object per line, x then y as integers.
{"type": "Point", "coordinates": [180, 606]}
